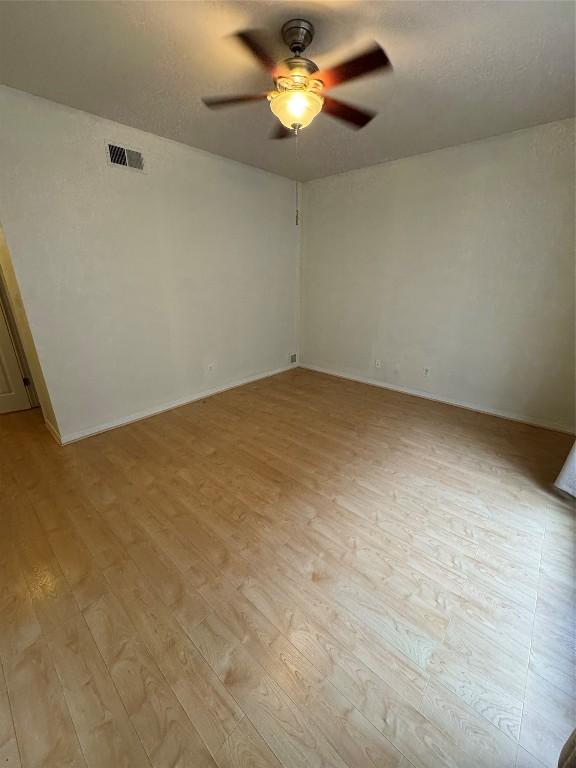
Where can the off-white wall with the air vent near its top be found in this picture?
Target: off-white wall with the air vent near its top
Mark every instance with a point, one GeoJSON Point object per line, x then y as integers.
{"type": "Point", "coordinates": [143, 290]}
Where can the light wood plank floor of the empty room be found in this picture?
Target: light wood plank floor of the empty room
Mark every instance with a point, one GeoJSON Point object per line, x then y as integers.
{"type": "Point", "coordinates": [303, 572]}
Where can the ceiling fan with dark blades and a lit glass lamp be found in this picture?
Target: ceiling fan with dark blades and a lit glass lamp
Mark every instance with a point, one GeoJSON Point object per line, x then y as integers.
{"type": "Point", "coordinates": [300, 87]}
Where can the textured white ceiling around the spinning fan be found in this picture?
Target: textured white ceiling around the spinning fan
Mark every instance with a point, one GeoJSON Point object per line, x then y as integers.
{"type": "Point", "coordinates": [462, 71]}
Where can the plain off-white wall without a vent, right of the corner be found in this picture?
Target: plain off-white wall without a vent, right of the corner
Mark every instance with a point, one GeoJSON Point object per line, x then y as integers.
{"type": "Point", "coordinates": [450, 274]}
